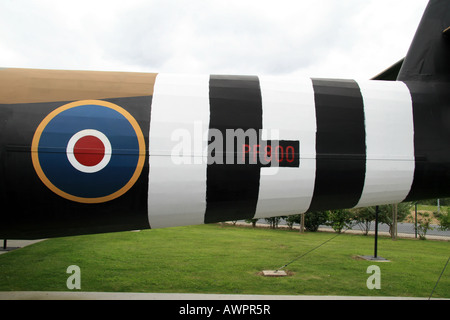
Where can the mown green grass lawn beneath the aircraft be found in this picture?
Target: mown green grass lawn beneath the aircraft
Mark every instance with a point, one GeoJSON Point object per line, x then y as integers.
{"type": "Point", "coordinates": [217, 259]}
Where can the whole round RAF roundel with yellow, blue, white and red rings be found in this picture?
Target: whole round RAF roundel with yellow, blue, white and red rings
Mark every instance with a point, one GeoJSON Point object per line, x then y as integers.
{"type": "Point", "coordinates": [89, 151]}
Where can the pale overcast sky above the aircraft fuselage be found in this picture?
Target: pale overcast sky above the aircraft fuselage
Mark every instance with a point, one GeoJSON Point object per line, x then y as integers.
{"type": "Point", "coordinates": [314, 38]}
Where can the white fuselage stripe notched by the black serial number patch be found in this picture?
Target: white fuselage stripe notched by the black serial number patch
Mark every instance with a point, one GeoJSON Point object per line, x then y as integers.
{"type": "Point", "coordinates": [288, 109]}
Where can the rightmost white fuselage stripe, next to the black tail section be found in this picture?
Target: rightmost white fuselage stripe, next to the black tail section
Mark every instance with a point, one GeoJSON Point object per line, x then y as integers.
{"type": "Point", "coordinates": [389, 142]}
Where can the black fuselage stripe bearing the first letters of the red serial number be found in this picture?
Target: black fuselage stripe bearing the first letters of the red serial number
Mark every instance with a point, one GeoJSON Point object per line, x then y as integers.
{"type": "Point", "coordinates": [232, 189]}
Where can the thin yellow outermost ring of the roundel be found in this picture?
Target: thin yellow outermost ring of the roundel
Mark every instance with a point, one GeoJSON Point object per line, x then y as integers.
{"type": "Point", "coordinates": [50, 116]}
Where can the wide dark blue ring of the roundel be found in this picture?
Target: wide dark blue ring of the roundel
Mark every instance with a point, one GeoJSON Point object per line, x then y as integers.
{"type": "Point", "coordinates": [59, 171]}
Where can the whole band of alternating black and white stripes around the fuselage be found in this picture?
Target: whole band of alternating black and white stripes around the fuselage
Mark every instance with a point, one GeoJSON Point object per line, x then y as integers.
{"type": "Point", "coordinates": [358, 146]}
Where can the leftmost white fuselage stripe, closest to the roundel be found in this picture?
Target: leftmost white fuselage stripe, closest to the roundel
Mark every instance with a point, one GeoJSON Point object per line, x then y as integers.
{"type": "Point", "coordinates": [177, 175]}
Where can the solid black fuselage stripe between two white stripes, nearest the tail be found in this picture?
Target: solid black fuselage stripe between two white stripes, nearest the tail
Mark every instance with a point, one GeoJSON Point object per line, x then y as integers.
{"type": "Point", "coordinates": [340, 144]}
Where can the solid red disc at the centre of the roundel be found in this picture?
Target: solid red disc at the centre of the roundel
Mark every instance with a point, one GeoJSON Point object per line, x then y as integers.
{"type": "Point", "coordinates": [89, 151]}
